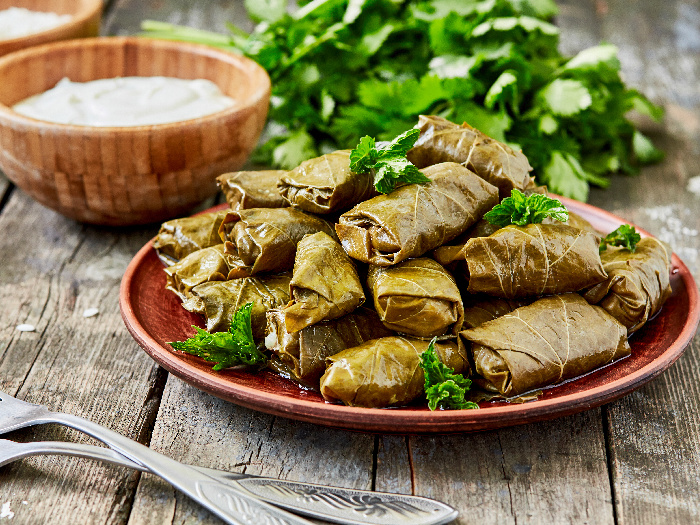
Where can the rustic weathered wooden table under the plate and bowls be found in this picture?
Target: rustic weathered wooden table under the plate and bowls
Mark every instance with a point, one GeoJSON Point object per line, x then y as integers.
{"type": "Point", "coordinates": [633, 461]}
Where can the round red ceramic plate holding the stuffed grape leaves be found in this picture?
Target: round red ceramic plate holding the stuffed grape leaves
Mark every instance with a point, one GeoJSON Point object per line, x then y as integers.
{"type": "Point", "coordinates": [154, 316]}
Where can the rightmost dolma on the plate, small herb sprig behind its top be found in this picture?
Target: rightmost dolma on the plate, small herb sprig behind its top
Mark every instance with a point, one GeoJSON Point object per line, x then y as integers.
{"type": "Point", "coordinates": [637, 284]}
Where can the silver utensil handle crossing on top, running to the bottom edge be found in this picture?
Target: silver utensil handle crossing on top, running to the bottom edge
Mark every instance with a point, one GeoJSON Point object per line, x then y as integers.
{"type": "Point", "coordinates": [234, 506]}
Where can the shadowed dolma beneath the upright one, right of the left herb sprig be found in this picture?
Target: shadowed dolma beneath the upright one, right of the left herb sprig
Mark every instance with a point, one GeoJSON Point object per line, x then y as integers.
{"type": "Point", "coordinates": [305, 352]}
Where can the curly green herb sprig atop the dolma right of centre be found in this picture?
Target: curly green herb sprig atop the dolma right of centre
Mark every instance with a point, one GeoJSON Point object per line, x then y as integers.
{"type": "Point", "coordinates": [521, 210]}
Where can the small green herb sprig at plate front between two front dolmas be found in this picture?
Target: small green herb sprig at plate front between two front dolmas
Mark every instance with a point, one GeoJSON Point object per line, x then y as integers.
{"type": "Point", "coordinates": [443, 387]}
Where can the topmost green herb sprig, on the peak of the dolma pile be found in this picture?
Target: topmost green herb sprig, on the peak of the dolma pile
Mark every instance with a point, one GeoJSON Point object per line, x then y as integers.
{"type": "Point", "coordinates": [388, 163]}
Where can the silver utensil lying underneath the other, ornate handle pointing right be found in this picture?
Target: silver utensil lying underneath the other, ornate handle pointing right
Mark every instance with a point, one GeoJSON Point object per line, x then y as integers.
{"type": "Point", "coordinates": [338, 505]}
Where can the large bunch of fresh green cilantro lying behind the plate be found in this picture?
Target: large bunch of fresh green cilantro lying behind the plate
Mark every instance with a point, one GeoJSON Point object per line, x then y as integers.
{"type": "Point", "coordinates": [342, 69]}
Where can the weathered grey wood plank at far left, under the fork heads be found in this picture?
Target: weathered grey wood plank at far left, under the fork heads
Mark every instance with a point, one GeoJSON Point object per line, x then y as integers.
{"type": "Point", "coordinates": [51, 270]}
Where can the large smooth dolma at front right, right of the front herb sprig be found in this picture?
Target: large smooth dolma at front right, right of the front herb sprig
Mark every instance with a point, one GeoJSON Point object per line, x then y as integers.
{"type": "Point", "coordinates": [553, 339]}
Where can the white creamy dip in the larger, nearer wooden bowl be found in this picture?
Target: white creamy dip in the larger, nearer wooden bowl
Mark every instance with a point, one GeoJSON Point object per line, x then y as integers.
{"type": "Point", "coordinates": [127, 101]}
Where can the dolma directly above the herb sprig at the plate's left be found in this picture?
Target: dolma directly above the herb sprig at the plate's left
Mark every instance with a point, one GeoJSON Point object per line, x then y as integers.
{"type": "Point", "coordinates": [218, 301]}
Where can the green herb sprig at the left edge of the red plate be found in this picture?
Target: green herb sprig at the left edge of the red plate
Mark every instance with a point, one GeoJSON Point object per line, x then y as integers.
{"type": "Point", "coordinates": [235, 347]}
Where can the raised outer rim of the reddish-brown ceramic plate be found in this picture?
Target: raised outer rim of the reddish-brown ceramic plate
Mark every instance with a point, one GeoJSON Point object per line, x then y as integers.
{"type": "Point", "coordinates": [395, 420]}
